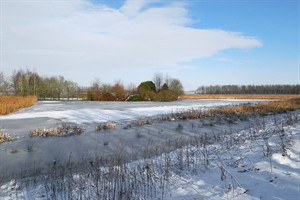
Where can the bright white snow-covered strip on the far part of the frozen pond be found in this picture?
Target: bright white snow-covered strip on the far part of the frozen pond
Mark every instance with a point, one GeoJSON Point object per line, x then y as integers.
{"type": "Point", "coordinates": [93, 112]}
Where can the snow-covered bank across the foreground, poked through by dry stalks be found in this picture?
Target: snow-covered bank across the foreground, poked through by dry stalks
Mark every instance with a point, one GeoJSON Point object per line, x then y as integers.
{"type": "Point", "coordinates": [242, 166]}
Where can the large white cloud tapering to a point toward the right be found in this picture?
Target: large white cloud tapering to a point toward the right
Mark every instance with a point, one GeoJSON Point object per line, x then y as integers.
{"type": "Point", "coordinates": [78, 35]}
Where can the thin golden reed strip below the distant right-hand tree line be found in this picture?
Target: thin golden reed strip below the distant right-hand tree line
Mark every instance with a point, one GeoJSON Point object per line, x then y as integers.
{"type": "Point", "coordinates": [237, 96]}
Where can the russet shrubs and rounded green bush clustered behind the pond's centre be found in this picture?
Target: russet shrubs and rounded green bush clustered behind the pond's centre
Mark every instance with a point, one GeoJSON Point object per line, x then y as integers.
{"type": "Point", "coordinates": [160, 89]}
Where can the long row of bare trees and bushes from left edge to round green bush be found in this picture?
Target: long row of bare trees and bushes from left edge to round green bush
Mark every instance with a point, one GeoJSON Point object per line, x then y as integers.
{"type": "Point", "coordinates": [24, 82]}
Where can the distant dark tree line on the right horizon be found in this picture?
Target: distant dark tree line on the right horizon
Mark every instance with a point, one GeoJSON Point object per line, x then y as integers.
{"type": "Point", "coordinates": [249, 89]}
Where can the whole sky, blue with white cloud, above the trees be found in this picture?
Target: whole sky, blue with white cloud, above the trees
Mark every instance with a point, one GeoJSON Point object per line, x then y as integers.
{"type": "Point", "coordinates": [199, 42]}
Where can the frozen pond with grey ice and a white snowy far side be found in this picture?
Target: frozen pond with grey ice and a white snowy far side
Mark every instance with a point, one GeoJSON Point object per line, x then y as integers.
{"type": "Point", "coordinates": [31, 152]}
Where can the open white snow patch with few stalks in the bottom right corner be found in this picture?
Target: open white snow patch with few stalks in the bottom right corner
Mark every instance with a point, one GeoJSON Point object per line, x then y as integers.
{"type": "Point", "coordinates": [277, 177]}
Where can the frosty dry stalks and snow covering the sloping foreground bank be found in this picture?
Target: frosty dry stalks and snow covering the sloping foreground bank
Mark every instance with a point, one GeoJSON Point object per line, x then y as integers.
{"type": "Point", "coordinates": [258, 162]}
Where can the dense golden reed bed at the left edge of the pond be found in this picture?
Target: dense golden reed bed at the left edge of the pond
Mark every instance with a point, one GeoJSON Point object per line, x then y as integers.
{"type": "Point", "coordinates": [10, 104]}
